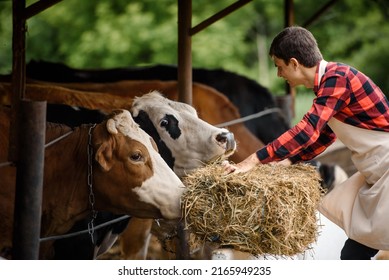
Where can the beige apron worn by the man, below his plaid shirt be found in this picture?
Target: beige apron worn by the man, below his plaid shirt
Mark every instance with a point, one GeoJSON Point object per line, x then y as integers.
{"type": "Point", "coordinates": [360, 205]}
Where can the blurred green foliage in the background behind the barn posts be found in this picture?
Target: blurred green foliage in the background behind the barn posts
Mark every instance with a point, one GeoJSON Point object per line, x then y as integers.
{"type": "Point", "coordinates": [118, 33]}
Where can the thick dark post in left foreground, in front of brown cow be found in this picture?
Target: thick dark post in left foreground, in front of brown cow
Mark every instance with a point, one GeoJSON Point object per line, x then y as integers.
{"type": "Point", "coordinates": [29, 180]}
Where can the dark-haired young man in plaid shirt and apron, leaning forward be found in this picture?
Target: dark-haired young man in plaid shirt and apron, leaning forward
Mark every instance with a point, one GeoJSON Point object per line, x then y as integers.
{"type": "Point", "coordinates": [349, 106]}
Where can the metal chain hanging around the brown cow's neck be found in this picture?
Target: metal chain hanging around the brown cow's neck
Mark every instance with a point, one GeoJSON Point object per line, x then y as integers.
{"type": "Point", "coordinates": [91, 228]}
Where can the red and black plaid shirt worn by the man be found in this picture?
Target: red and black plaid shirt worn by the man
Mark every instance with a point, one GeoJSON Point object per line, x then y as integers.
{"type": "Point", "coordinates": [345, 94]}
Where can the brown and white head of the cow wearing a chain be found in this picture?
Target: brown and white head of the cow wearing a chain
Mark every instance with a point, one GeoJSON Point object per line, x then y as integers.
{"type": "Point", "coordinates": [131, 176]}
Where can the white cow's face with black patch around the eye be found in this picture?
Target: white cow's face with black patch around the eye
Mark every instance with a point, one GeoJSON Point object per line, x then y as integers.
{"type": "Point", "coordinates": [185, 141]}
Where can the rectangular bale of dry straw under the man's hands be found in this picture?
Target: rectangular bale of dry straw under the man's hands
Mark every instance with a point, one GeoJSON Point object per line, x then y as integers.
{"type": "Point", "coordinates": [268, 210]}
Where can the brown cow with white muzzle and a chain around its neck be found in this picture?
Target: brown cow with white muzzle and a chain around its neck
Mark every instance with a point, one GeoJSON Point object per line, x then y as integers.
{"type": "Point", "coordinates": [129, 177]}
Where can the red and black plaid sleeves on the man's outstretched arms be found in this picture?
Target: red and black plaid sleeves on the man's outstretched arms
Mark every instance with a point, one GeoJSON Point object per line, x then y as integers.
{"type": "Point", "coordinates": [311, 136]}
